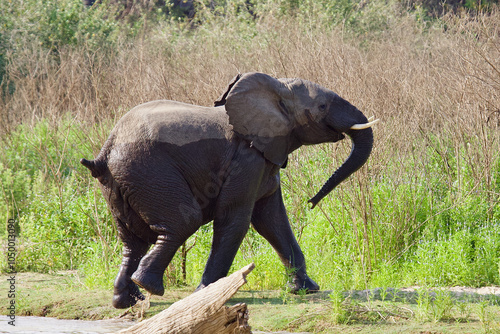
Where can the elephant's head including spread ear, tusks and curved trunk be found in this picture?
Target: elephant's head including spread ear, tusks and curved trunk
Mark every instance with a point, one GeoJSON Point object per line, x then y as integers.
{"type": "Point", "coordinates": [278, 116]}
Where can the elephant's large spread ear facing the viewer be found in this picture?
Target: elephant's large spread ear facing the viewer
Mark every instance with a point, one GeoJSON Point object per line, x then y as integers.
{"type": "Point", "coordinates": [257, 109]}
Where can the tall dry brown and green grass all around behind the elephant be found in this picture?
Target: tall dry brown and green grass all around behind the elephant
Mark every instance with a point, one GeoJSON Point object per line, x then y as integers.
{"type": "Point", "coordinates": [424, 210]}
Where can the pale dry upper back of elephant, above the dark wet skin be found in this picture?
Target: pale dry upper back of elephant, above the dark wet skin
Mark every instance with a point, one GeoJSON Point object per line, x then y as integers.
{"type": "Point", "coordinates": [171, 122]}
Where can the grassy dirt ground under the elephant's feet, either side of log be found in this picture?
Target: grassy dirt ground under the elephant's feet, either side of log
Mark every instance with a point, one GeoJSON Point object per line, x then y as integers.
{"type": "Point", "coordinates": [443, 310]}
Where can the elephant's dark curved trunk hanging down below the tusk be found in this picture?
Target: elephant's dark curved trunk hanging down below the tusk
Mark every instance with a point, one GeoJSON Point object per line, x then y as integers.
{"type": "Point", "coordinates": [362, 143]}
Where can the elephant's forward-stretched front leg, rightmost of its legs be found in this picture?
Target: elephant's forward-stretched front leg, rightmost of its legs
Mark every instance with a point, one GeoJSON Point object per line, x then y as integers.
{"type": "Point", "coordinates": [270, 220]}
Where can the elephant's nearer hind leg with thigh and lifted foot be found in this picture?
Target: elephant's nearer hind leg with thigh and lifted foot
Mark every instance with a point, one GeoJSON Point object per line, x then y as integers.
{"type": "Point", "coordinates": [166, 204]}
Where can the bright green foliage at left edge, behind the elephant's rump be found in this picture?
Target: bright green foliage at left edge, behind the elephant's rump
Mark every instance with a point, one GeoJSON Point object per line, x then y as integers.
{"type": "Point", "coordinates": [62, 219]}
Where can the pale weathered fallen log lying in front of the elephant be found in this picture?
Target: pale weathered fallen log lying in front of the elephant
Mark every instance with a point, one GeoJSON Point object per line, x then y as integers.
{"type": "Point", "coordinates": [203, 311]}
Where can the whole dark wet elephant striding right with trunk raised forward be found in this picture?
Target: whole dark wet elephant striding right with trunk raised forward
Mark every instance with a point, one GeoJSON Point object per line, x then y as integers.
{"type": "Point", "coordinates": [168, 168]}
